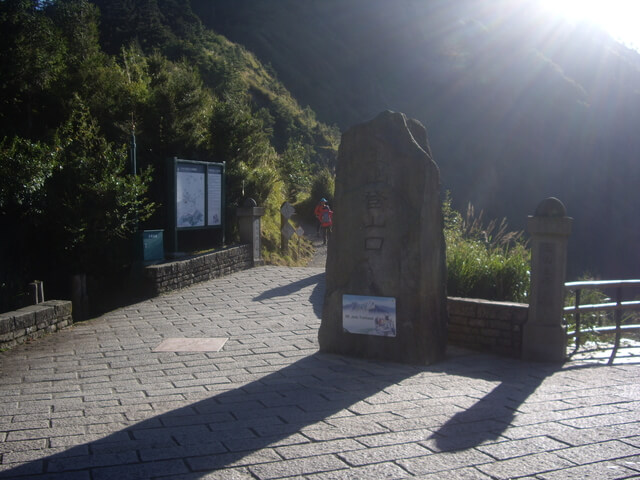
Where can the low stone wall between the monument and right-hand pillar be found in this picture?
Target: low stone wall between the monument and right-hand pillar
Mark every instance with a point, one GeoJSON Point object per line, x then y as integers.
{"type": "Point", "coordinates": [483, 325]}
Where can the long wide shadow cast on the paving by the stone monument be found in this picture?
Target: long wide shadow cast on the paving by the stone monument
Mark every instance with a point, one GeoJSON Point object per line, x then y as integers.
{"type": "Point", "coordinates": [224, 429]}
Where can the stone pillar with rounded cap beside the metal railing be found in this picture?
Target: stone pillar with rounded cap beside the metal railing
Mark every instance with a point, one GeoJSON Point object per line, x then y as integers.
{"type": "Point", "coordinates": [544, 338]}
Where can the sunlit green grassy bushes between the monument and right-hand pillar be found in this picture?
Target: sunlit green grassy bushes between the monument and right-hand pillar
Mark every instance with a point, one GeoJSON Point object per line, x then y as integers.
{"type": "Point", "coordinates": [486, 262]}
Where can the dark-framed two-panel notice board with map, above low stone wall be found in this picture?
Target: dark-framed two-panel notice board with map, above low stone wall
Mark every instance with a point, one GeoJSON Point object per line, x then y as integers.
{"type": "Point", "coordinates": [197, 194]}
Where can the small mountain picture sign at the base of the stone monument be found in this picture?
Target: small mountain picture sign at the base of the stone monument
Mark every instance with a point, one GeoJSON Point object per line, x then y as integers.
{"type": "Point", "coordinates": [366, 315]}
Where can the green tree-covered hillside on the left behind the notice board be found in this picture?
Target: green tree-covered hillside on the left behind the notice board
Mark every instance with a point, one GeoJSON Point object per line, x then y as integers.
{"type": "Point", "coordinates": [78, 79]}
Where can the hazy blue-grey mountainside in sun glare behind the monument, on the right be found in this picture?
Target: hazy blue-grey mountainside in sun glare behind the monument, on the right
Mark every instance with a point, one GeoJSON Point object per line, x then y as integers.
{"type": "Point", "coordinates": [519, 105]}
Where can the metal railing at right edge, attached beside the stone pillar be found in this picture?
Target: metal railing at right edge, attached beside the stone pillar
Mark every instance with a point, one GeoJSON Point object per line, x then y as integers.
{"type": "Point", "coordinates": [617, 306]}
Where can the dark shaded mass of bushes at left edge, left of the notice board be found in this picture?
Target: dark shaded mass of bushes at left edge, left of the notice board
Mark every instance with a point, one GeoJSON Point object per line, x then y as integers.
{"type": "Point", "coordinates": [71, 207]}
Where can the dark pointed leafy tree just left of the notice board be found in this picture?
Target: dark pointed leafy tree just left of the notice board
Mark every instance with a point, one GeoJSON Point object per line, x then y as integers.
{"type": "Point", "coordinates": [94, 201]}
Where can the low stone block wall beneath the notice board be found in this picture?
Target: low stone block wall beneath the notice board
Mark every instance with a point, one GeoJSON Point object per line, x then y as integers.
{"type": "Point", "coordinates": [166, 277]}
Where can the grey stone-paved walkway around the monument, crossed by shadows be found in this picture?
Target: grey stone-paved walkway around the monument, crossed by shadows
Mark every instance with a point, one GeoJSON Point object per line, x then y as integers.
{"type": "Point", "coordinates": [96, 402]}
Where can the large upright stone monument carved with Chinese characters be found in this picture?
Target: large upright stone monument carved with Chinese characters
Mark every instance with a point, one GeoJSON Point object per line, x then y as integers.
{"type": "Point", "coordinates": [386, 271]}
